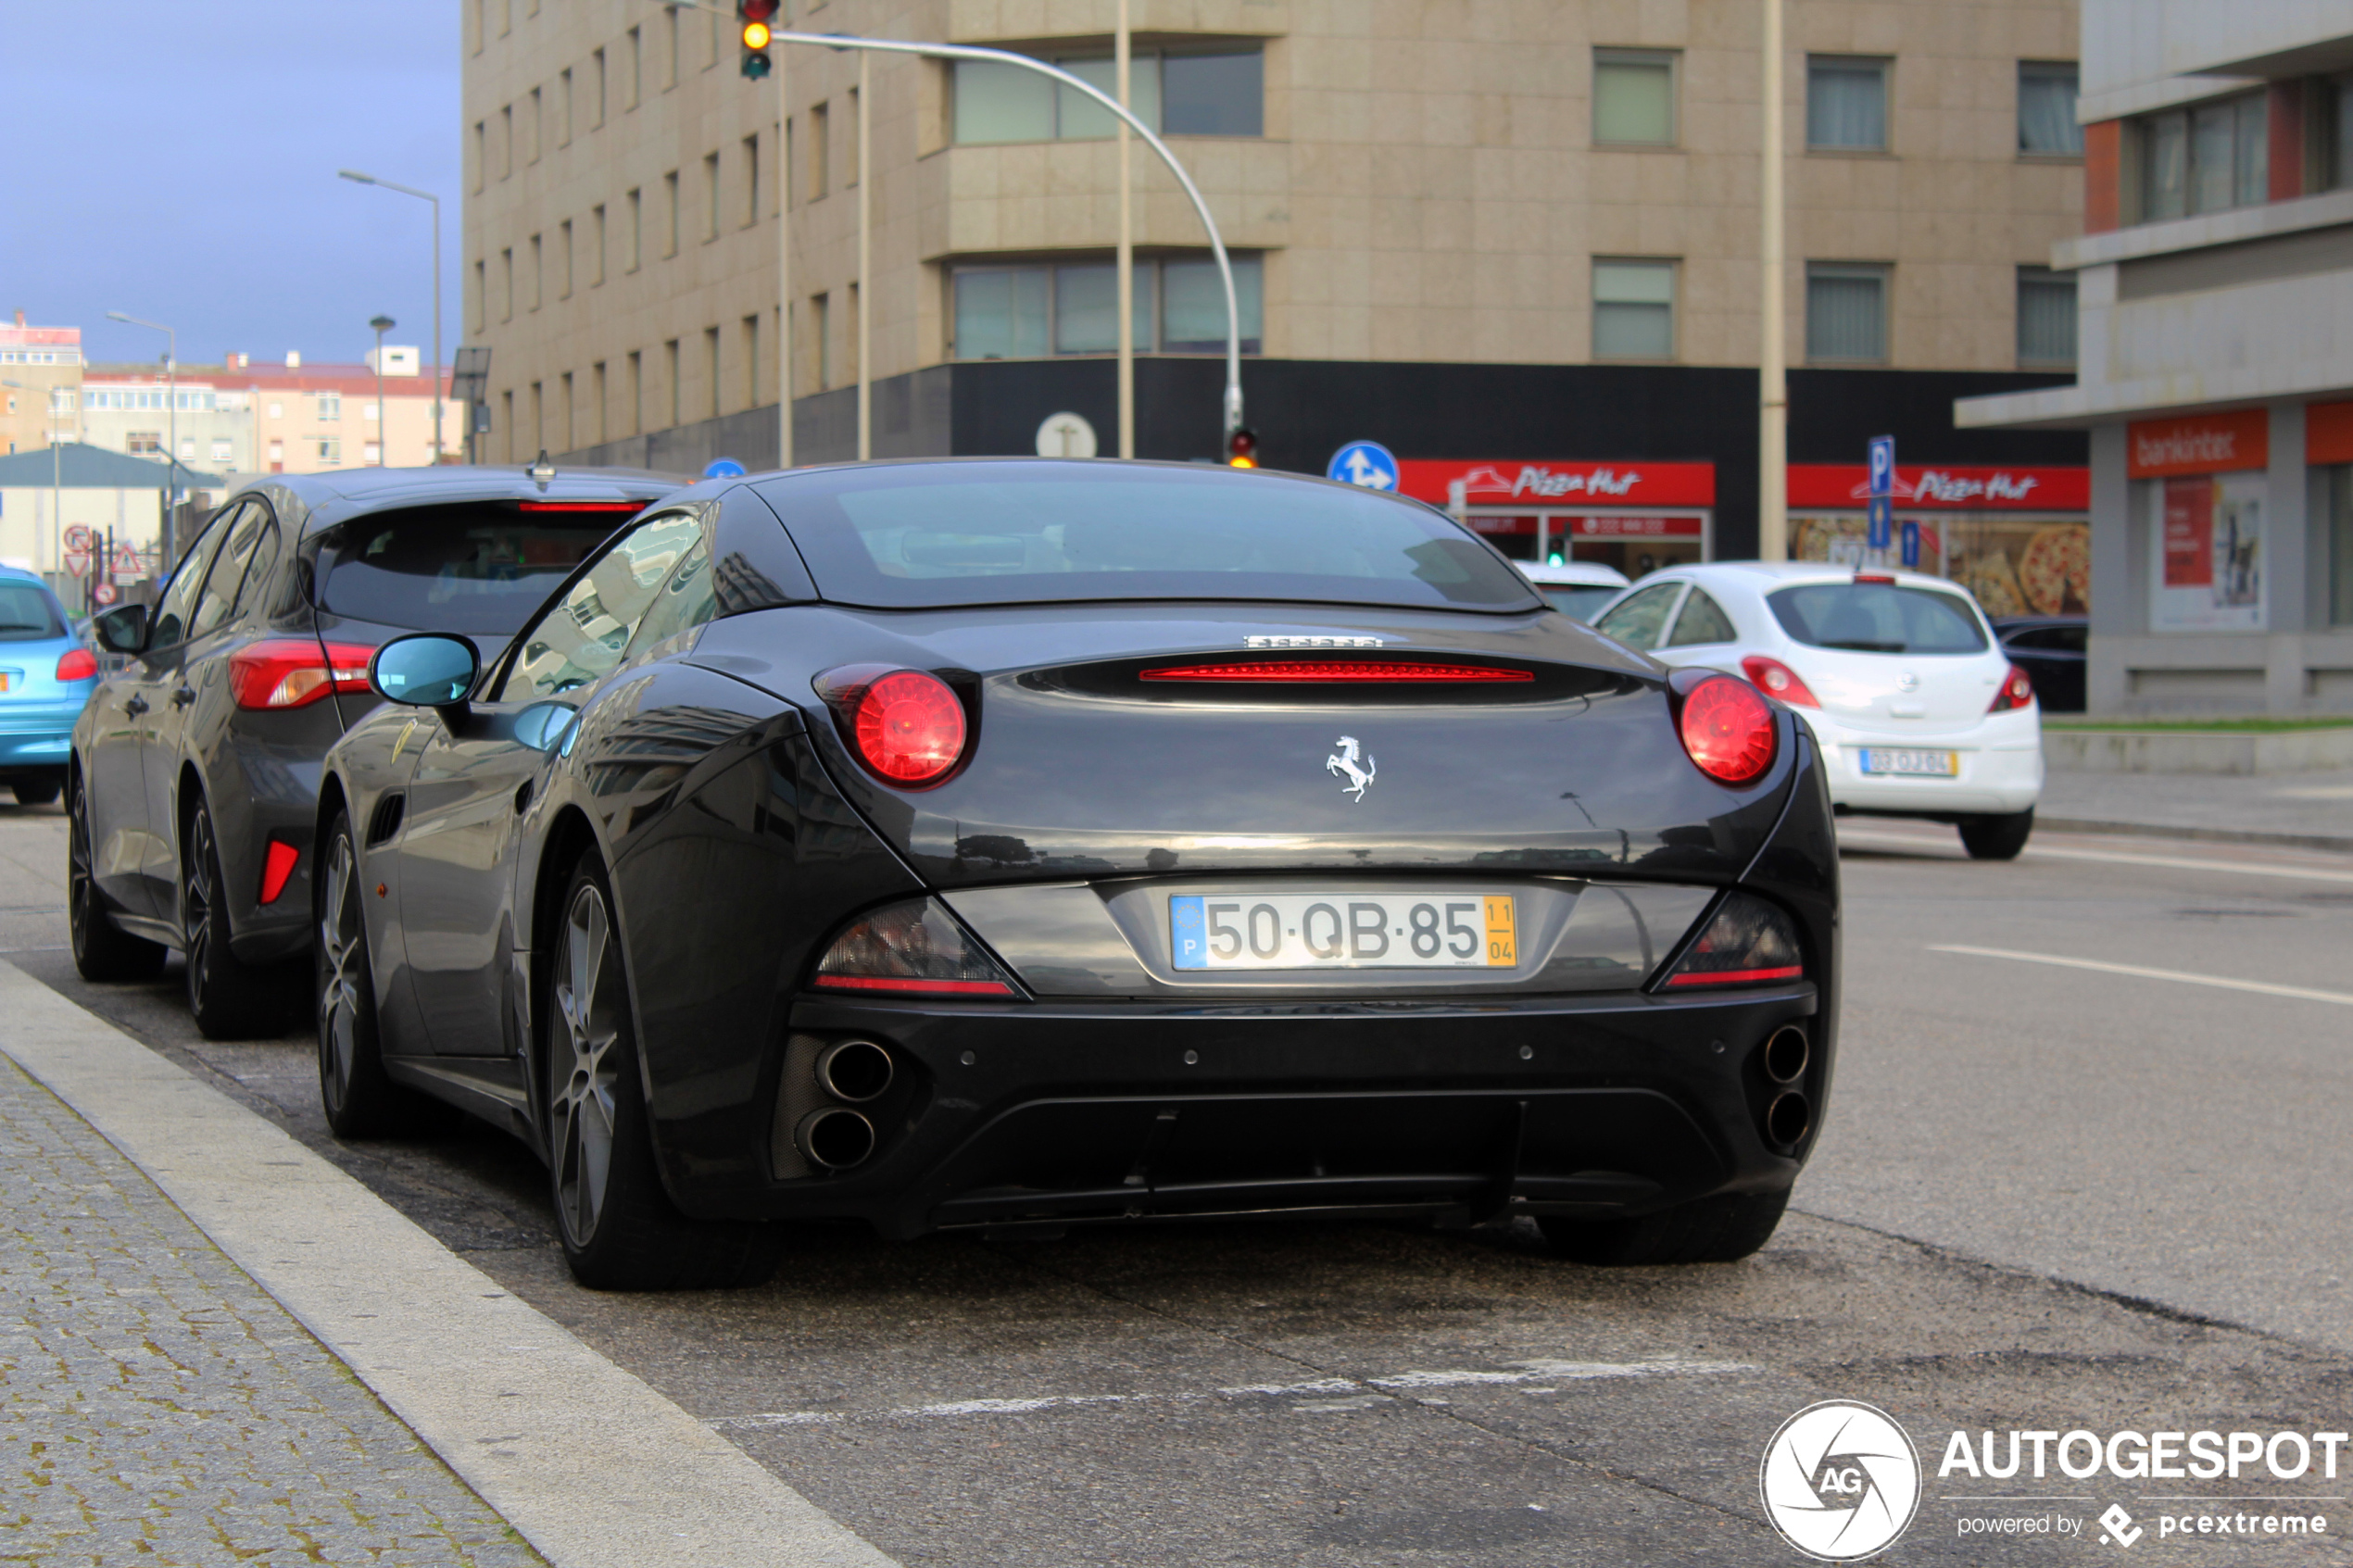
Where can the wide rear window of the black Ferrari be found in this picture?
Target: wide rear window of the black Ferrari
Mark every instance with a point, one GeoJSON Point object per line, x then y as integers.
{"type": "Point", "coordinates": [1036, 532]}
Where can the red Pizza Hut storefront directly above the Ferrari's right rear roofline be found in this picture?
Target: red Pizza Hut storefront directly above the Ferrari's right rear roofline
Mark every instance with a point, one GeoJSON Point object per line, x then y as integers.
{"type": "Point", "coordinates": [1629, 516]}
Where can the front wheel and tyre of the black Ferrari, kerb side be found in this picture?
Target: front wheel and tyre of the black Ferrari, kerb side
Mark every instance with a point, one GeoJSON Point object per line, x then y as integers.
{"type": "Point", "coordinates": [361, 1101]}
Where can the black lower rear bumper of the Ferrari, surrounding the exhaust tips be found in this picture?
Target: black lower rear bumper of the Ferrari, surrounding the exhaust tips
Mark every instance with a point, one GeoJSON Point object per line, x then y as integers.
{"type": "Point", "coordinates": [1455, 1113]}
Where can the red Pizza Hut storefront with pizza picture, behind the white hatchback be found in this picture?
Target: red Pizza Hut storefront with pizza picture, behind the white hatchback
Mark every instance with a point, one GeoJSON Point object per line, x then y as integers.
{"type": "Point", "coordinates": [2020, 540]}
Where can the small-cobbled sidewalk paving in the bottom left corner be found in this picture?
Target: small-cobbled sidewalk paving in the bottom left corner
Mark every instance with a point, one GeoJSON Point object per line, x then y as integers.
{"type": "Point", "coordinates": [164, 1409]}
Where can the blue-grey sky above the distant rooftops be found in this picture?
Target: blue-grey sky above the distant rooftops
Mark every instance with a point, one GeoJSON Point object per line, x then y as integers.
{"type": "Point", "coordinates": [180, 163]}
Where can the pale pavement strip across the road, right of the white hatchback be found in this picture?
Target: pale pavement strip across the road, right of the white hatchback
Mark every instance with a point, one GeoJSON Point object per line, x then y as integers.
{"type": "Point", "coordinates": [2291, 810]}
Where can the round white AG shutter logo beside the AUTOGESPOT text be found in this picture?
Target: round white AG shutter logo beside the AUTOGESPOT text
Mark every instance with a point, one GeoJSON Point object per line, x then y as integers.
{"type": "Point", "coordinates": [1841, 1482]}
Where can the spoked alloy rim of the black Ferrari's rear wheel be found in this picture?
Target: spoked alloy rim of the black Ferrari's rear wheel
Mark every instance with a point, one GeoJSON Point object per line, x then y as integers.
{"type": "Point", "coordinates": [587, 1000]}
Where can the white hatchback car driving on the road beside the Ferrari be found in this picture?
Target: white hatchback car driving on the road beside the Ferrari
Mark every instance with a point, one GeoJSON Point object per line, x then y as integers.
{"type": "Point", "coordinates": [1900, 678]}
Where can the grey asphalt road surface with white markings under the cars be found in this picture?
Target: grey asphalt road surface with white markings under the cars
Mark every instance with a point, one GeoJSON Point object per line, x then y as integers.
{"type": "Point", "coordinates": [2051, 1198]}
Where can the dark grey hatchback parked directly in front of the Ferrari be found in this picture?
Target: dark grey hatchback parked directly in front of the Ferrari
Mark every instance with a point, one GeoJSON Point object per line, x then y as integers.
{"type": "Point", "coordinates": [194, 775]}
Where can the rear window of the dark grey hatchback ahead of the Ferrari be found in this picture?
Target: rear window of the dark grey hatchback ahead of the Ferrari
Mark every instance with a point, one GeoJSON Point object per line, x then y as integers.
{"type": "Point", "coordinates": [476, 568]}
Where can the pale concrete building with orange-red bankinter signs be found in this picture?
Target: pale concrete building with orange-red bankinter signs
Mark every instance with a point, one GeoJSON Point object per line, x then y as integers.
{"type": "Point", "coordinates": [2215, 297]}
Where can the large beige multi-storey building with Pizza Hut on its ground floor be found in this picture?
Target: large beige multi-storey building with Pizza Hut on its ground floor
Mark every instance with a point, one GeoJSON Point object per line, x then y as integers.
{"type": "Point", "coordinates": [1517, 243]}
